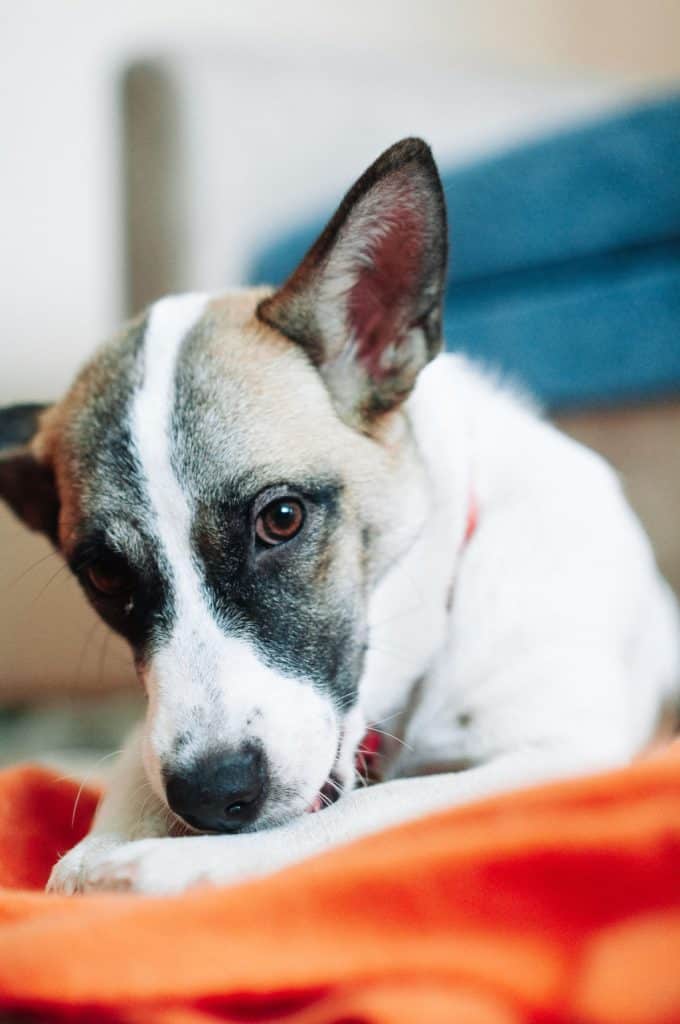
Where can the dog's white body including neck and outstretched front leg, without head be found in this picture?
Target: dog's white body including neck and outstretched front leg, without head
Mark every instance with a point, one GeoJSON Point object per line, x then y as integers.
{"type": "Point", "coordinates": [561, 648]}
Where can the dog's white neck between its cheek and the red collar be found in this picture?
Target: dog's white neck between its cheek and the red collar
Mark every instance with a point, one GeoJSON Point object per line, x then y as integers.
{"type": "Point", "coordinates": [407, 618]}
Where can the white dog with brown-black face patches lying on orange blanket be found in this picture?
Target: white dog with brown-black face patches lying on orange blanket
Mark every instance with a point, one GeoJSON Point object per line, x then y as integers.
{"type": "Point", "coordinates": [336, 552]}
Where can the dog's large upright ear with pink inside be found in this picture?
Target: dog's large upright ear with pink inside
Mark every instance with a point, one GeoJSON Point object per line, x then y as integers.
{"type": "Point", "coordinates": [366, 302]}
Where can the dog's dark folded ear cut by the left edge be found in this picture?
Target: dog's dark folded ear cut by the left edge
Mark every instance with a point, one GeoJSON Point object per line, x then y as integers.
{"type": "Point", "coordinates": [26, 484]}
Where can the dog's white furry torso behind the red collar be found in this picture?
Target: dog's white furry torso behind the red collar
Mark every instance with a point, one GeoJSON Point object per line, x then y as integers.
{"type": "Point", "coordinates": [563, 634]}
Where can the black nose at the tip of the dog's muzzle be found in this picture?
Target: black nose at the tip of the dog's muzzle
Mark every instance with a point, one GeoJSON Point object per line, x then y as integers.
{"type": "Point", "coordinates": [222, 792]}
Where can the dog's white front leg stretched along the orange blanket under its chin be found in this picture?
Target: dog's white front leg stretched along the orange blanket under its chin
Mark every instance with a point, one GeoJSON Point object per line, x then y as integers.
{"type": "Point", "coordinates": [163, 866]}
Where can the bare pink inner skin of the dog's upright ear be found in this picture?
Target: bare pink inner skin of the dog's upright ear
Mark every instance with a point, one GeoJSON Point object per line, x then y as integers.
{"type": "Point", "coordinates": [382, 301]}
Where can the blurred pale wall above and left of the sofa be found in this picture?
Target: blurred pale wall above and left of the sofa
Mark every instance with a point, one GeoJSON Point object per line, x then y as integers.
{"type": "Point", "coordinates": [60, 214]}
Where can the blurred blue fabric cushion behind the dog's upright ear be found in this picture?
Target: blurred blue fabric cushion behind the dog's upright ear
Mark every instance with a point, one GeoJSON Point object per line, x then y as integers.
{"type": "Point", "coordinates": [566, 260]}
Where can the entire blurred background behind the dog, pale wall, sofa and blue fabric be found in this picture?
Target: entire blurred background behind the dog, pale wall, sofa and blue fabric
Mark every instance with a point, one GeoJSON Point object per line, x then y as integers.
{"type": "Point", "coordinates": [156, 147]}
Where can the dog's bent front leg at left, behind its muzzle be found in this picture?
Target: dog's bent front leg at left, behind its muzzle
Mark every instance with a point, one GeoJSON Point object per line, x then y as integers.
{"type": "Point", "coordinates": [131, 810]}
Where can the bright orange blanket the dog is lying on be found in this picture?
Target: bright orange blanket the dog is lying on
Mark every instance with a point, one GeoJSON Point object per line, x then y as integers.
{"type": "Point", "coordinates": [559, 905]}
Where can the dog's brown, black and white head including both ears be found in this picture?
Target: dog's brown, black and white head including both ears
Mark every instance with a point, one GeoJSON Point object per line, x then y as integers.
{"type": "Point", "coordinates": [230, 478]}
